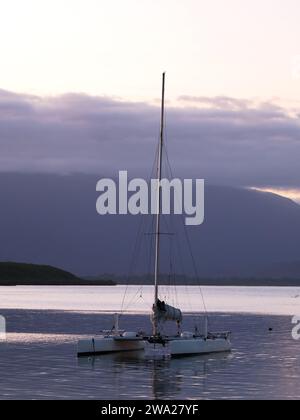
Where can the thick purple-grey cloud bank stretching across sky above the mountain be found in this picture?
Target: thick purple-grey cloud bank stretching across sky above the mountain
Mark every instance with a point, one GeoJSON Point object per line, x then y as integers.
{"type": "Point", "coordinates": [225, 140]}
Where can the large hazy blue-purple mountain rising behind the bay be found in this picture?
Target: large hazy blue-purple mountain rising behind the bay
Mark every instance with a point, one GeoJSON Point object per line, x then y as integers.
{"type": "Point", "coordinates": [53, 219]}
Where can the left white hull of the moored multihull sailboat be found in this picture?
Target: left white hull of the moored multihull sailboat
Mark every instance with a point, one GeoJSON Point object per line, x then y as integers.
{"type": "Point", "coordinates": [102, 345]}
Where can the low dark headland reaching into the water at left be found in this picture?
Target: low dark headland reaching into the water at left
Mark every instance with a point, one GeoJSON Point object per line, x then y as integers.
{"type": "Point", "coordinates": [20, 274]}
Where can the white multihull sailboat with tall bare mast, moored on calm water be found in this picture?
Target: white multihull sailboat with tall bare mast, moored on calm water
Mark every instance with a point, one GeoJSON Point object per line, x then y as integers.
{"type": "Point", "coordinates": [157, 344]}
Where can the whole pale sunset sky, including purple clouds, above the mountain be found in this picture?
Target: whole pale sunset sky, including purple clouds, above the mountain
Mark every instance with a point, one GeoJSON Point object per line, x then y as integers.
{"type": "Point", "coordinates": [237, 60]}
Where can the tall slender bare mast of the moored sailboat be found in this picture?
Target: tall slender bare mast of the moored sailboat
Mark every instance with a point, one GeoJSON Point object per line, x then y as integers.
{"type": "Point", "coordinates": [159, 198]}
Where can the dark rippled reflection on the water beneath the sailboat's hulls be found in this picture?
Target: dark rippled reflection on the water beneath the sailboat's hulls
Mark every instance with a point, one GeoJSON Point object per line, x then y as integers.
{"type": "Point", "coordinates": [167, 378]}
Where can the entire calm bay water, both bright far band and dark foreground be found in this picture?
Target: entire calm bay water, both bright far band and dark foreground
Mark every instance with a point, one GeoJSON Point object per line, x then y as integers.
{"type": "Point", "coordinates": [38, 361]}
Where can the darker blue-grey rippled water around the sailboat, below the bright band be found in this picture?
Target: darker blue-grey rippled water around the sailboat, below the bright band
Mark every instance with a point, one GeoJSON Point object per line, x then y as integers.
{"type": "Point", "coordinates": [38, 361]}
